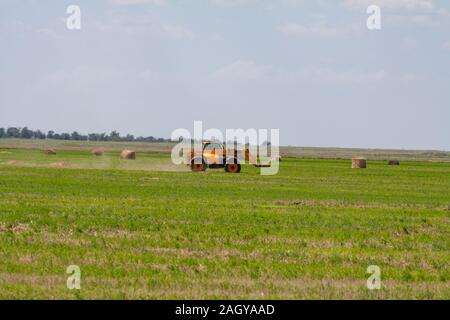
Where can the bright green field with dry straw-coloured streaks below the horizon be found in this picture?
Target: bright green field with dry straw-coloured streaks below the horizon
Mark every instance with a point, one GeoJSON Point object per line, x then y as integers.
{"type": "Point", "coordinates": [148, 229]}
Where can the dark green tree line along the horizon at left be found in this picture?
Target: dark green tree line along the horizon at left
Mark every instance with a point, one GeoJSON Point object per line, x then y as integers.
{"type": "Point", "coordinates": [26, 133]}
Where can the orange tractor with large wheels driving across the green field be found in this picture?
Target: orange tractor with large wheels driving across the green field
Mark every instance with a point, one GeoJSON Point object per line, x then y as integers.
{"type": "Point", "coordinates": [214, 156]}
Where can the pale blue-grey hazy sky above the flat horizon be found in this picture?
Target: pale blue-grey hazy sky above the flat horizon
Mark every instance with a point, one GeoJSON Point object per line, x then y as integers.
{"type": "Point", "coordinates": [311, 69]}
